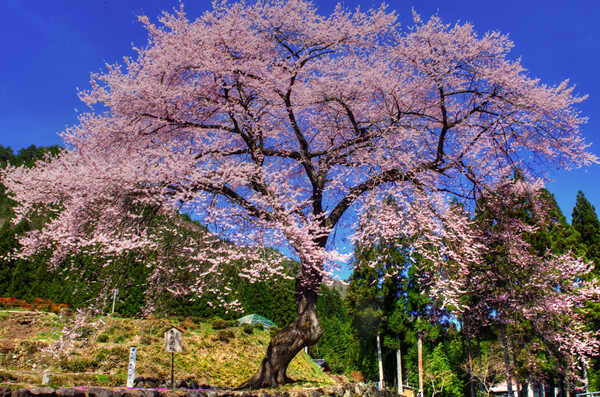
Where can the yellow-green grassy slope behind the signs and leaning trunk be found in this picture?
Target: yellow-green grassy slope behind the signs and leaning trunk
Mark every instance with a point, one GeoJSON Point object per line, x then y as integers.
{"type": "Point", "coordinates": [101, 356]}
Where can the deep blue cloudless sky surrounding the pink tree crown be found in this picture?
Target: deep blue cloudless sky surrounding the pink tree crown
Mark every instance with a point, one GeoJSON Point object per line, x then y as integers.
{"type": "Point", "coordinates": [49, 49]}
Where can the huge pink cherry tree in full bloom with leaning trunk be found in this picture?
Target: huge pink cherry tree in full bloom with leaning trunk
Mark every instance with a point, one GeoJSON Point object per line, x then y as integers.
{"type": "Point", "coordinates": [277, 126]}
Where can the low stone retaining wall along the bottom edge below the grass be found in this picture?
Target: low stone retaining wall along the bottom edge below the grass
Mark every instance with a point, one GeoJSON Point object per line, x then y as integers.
{"type": "Point", "coordinates": [346, 390]}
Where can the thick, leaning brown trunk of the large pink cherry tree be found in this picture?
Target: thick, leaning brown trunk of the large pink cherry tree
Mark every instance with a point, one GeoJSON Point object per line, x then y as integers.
{"type": "Point", "coordinates": [285, 344]}
